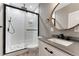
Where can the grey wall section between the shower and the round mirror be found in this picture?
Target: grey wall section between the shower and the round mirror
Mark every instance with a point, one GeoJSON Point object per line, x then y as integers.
{"type": "Point", "coordinates": [45, 11]}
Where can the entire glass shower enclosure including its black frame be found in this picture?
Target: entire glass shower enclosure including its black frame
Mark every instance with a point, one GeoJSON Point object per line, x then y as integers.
{"type": "Point", "coordinates": [21, 29]}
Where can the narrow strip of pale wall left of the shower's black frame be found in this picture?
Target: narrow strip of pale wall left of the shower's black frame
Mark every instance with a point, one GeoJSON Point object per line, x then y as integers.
{"type": "Point", "coordinates": [1, 29]}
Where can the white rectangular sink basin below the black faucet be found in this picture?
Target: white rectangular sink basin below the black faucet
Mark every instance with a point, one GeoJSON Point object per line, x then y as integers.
{"type": "Point", "coordinates": [60, 41]}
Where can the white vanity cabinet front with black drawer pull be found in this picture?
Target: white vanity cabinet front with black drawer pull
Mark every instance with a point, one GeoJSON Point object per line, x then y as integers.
{"type": "Point", "coordinates": [48, 50]}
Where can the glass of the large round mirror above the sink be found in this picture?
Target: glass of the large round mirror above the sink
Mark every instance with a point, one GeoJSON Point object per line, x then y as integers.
{"type": "Point", "coordinates": [67, 16]}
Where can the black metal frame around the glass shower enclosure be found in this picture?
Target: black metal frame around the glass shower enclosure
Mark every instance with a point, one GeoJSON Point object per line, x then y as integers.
{"type": "Point", "coordinates": [4, 25]}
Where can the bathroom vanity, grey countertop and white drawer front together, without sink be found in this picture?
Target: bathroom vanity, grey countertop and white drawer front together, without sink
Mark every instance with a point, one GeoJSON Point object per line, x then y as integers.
{"type": "Point", "coordinates": [50, 48]}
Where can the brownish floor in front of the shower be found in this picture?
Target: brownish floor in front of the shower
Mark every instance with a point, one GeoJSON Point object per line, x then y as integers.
{"type": "Point", "coordinates": [25, 52]}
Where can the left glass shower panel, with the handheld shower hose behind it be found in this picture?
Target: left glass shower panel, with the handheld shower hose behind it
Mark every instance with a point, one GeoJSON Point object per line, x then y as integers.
{"type": "Point", "coordinates": [14, 29]}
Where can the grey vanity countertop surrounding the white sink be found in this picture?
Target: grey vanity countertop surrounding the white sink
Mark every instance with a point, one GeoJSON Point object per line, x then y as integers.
{"type": "Point", "coordinates": [72, 49]}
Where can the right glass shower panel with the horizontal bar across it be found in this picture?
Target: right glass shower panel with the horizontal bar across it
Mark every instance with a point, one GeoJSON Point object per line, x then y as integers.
{"type": "Point", "coordinates": [31, 30]}
